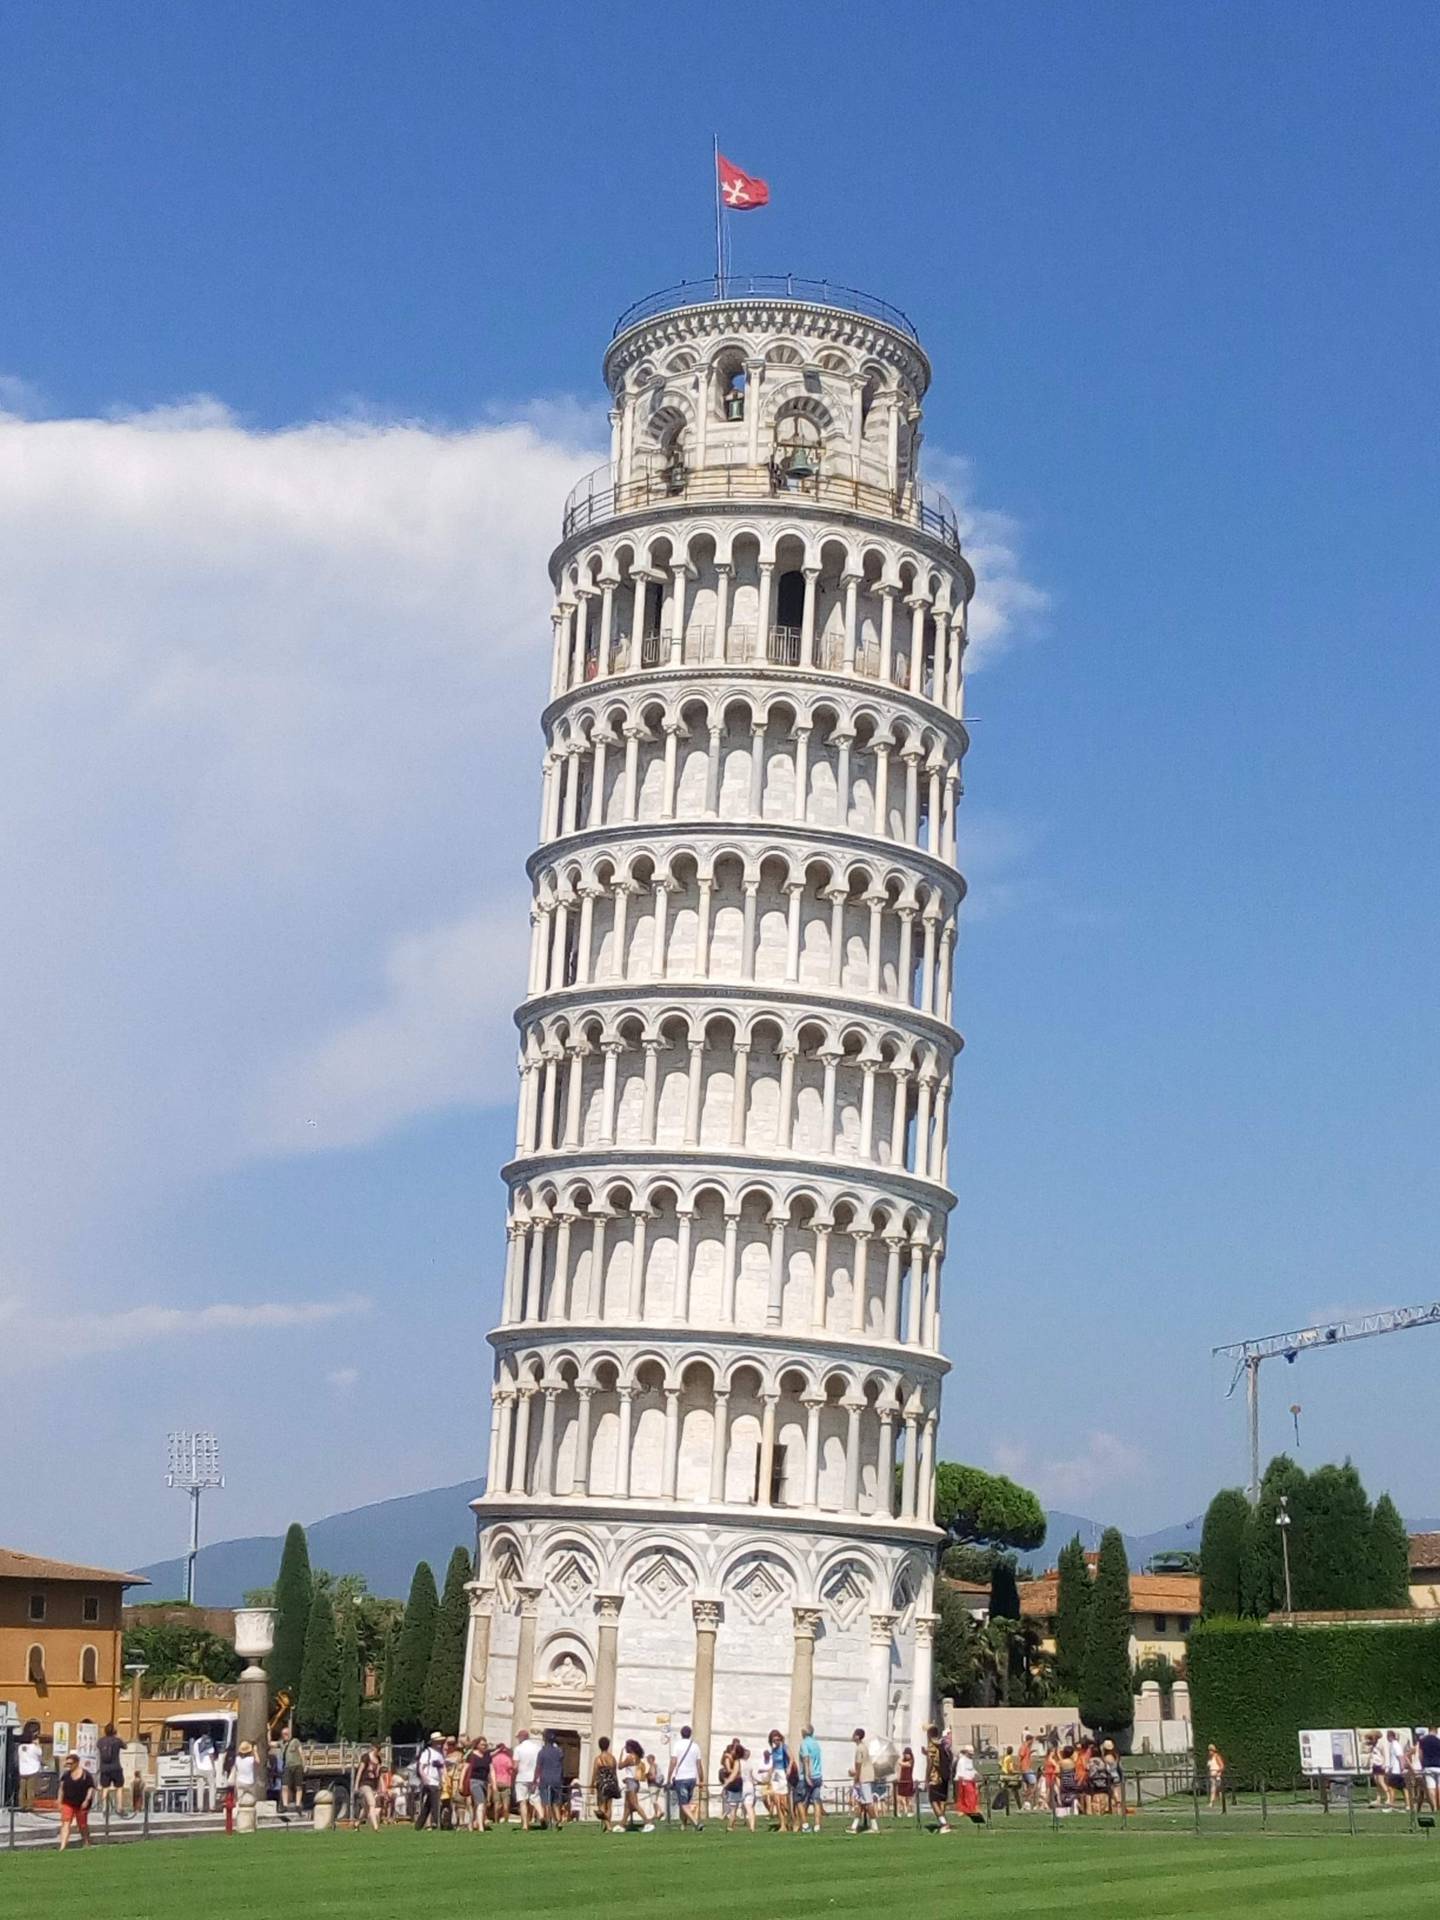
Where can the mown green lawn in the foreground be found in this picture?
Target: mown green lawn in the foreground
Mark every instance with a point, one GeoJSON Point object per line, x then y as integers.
{"type": "Point", "coordinates": [1019, 1873]}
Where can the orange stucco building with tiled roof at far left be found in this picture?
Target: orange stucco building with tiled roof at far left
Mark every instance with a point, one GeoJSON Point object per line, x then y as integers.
{"type": "Point", "coordinates": [60, 1641]}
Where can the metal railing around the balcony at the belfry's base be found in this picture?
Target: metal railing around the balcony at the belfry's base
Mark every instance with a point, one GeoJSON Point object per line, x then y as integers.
{"type": "Point", "coordinates": [604, 496]}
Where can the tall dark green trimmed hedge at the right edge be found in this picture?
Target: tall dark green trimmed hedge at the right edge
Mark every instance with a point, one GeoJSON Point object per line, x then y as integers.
{"type": "Point", "coordinates": [1255, 1687]}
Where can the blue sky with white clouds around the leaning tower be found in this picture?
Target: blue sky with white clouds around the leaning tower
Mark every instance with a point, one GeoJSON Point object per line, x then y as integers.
{"type": "Point", "coordinates": [1176, 270]}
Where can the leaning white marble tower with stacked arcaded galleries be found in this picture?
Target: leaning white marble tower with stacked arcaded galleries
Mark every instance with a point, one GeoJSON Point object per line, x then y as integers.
{"type": "Point", "coordinates": [719, 1355]}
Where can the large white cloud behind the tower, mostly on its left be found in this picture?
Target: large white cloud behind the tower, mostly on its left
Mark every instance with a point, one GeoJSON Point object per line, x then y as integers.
{"type": "Point", "coordinates": [270, 727]}
